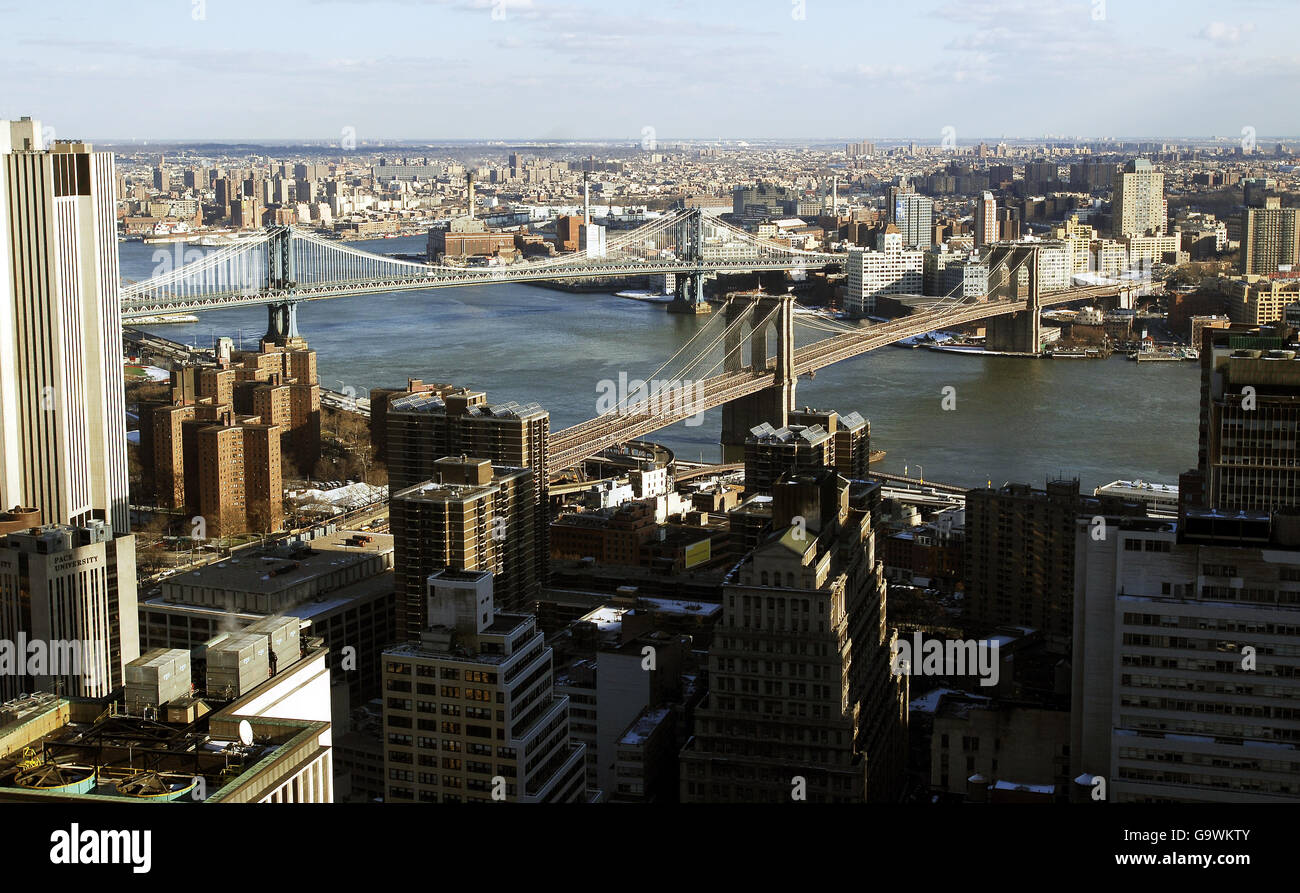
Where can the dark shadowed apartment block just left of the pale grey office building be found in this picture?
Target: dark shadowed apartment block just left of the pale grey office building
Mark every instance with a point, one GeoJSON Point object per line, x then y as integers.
{"type": "Point", "coordinates": [1020, 556]}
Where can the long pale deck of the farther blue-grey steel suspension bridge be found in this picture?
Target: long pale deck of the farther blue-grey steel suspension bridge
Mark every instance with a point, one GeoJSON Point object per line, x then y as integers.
{"type": "Point", "coordinates": [447, 279]}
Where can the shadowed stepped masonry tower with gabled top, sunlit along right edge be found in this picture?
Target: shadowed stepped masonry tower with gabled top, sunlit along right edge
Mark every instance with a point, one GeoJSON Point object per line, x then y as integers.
{"type": "Point", "coordinates": [803, 701]}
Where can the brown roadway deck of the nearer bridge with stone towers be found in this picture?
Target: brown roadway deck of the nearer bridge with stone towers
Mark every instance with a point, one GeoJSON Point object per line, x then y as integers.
{"type": "Point", "coordinates": [573, 445]}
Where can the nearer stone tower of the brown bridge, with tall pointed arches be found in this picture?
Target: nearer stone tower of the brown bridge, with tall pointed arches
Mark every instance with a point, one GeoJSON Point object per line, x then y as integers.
{"type": "Point", "coordinates": [772, 405]}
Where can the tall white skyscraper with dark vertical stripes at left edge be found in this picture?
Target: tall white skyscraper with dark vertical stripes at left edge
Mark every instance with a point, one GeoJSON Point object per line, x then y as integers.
{"type": "Point", "coordinates": [63, 427]}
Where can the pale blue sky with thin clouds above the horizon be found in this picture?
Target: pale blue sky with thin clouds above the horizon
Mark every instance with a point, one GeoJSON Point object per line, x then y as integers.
{"type": "Point", "coordinates": [678, 70]}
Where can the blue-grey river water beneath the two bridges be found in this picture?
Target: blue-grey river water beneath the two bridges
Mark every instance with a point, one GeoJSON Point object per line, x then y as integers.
{"type": "Point", "coordinates": [1015, 419]}
